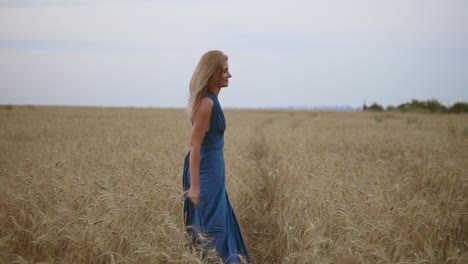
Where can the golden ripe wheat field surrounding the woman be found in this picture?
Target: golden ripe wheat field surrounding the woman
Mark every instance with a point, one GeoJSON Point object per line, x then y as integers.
{"type": "Point", "coordinates": [103, 185]}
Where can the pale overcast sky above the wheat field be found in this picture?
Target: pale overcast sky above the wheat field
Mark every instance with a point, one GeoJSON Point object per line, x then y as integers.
{"type": "Point", "coordinates": [298, 53]}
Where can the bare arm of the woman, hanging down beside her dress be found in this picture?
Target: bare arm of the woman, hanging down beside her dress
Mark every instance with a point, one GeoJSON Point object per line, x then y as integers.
{"type": "Point", "coordinates": [201, 124]}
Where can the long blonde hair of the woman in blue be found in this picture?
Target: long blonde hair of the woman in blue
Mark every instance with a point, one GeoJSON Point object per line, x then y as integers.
{"type": "Point", "coordinates": [207, 74]}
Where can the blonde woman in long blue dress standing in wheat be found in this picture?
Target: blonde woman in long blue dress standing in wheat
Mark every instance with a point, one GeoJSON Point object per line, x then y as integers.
{"type": "Point", "coordinates": [208, 214]}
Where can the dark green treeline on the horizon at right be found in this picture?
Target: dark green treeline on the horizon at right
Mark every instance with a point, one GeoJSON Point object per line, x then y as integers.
{"type": "Point", "coordinates": [430, 106]}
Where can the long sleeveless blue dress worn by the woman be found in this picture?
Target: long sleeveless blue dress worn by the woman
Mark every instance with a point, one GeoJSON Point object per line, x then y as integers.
{"type": "Point", "coordinates": [213, 217]}
